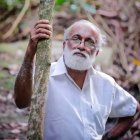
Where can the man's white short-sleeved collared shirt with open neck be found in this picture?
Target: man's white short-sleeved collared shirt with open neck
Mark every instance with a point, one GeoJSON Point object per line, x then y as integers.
{"type": "Point", "coordinates": [81, 114]}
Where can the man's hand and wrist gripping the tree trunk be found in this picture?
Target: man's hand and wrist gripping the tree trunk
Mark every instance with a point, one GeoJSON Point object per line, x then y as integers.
{"type": "Point", "coordinates": [41, 30]}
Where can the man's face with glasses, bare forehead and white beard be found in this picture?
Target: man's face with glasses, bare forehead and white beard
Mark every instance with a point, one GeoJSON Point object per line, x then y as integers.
{"type": "Point", "coordinates": [80, 47]}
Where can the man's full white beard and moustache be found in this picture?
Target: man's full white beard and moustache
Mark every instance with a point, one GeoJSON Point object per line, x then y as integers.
{"type": "Point", "coordinates": [77, 62]}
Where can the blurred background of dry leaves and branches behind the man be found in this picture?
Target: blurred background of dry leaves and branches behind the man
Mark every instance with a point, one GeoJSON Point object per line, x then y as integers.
{"type": "Point", "coordinates": [120, 58]}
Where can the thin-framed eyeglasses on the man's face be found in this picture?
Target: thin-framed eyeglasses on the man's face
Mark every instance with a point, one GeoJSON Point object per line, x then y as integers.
{"type": "Point", "coordinates": [77, 40]}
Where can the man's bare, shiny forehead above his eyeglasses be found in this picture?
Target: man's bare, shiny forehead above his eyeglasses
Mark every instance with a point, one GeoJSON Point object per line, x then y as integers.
{"type": "Point", "coordinates": [84, 29]}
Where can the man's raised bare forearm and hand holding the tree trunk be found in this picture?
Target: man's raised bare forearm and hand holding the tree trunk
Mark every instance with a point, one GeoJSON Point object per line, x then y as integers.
{"type": "Point", "coordinates": [23, 83]}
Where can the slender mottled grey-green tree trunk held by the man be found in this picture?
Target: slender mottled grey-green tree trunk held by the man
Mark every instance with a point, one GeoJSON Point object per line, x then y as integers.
{"type": "Point", "coordinates": [42, 67]}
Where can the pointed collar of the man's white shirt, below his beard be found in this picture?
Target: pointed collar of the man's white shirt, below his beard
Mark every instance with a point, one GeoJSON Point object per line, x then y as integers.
{"type": "Point", "coordinates": [60, 68]}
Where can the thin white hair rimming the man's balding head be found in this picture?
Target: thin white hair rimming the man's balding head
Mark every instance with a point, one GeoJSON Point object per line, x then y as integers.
{"type": "Point", "coordinates": [101, 37]}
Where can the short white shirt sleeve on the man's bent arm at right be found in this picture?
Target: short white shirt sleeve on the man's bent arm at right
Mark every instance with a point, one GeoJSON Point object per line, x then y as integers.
{"type": "Point", "coordinates": [123, 104]}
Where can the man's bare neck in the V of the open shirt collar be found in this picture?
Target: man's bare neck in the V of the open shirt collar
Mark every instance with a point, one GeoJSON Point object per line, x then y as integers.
{"type": "Point", "coordinates": [77, 76]}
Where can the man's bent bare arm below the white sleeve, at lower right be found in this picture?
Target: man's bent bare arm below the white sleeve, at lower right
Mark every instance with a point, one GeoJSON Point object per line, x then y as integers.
{"type": "Point", "coordinates": [122, 126]}
